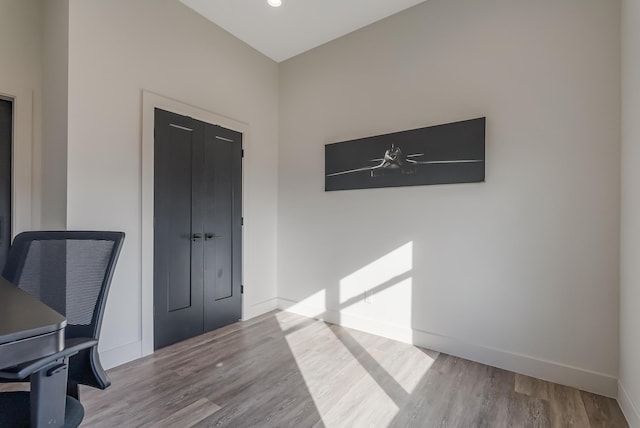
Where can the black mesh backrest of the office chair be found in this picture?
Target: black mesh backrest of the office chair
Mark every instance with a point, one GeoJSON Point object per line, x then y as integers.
{"type": "Point", "coordinates": [68, 270]}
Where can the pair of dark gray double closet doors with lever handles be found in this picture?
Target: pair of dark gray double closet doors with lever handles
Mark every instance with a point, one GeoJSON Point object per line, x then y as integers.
{"type": "Point", "coordinates": [197, 229]}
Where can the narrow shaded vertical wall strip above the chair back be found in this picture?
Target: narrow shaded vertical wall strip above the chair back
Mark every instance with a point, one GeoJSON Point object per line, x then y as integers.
{"type": "Point", "coordinates": [55, 59]}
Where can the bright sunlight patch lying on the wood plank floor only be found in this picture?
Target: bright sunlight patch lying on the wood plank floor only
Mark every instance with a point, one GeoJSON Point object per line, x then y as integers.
{"type": "Point", "coordinates": [366, 377]}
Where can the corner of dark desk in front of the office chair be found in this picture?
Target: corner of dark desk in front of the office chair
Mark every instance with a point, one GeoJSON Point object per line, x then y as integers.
{"type": "Point", "coordinates": [29, 329]}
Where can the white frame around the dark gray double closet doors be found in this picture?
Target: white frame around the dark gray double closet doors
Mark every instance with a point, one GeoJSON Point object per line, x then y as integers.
{"type": "Point", "coordinates": [151, 101]}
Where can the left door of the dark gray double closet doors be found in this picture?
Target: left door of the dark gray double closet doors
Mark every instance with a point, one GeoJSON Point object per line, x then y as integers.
{"type": "Point", "coordinates": [177, 257]}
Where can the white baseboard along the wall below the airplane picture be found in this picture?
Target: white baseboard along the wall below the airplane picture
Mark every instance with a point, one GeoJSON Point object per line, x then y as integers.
{"type": "Point", "coordinates": [584, 379]}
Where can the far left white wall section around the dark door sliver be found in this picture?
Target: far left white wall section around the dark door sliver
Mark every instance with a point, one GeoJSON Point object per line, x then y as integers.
{"type": "Point", "coordinates": [20, 79]}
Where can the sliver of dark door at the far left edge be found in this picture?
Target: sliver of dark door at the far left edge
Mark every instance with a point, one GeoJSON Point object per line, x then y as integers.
{"type": "Point", "coordinates": [6, 133]}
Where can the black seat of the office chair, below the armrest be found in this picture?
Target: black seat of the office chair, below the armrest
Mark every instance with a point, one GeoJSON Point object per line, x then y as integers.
{"type": "Point", "coordinates": [15, 411]}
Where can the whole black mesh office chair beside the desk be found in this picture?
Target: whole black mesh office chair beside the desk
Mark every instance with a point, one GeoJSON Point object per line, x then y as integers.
{"type": "Point", "coordinates": [71, 272]}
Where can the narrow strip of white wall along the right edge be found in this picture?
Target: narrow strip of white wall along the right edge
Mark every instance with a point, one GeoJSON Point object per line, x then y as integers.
{"type": "Point", "coordinates": [629, 386]}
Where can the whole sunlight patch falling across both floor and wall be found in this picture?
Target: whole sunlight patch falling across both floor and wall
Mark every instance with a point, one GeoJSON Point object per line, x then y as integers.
{"type": "Point", "coordinates": [368, 378]}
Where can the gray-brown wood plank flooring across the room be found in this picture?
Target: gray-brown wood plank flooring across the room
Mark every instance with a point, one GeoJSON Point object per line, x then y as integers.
{"type": "Point", "coordinates": [283, 370]}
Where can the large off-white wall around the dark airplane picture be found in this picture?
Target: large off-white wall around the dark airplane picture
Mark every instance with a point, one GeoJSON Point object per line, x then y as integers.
{"type": "Point", "coordinates": [519, 272]}
